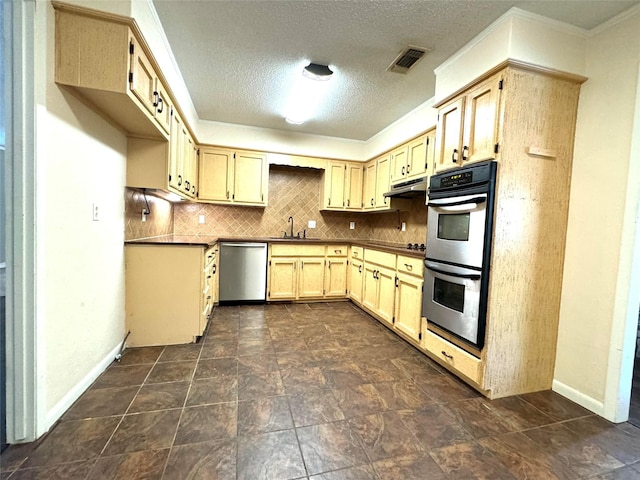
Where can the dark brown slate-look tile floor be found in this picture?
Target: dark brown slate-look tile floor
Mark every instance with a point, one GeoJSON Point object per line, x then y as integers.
{"type": "Point", "coordinates": [317, 392]}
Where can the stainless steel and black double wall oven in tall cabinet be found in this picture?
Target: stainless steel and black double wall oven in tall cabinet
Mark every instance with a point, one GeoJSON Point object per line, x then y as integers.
{"type": "Point", "coordinates": [458, 256]}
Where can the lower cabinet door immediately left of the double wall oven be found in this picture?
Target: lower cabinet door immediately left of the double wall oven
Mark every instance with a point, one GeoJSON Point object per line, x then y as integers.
{"type": "Point", "coordinates": [408, 308]}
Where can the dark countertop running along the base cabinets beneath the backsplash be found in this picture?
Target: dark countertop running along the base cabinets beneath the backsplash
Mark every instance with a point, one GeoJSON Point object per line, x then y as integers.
{"type": "Point", "coordinates": [204, 241]}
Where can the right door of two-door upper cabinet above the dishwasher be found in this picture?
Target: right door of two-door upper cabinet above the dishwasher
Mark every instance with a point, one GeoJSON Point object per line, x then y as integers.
{"type": "Point", "coordinates": [251, 177]}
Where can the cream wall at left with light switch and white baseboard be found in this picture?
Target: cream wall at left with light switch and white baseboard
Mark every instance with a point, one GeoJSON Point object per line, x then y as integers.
{"type": "Point", "coordinates": [80, 160]}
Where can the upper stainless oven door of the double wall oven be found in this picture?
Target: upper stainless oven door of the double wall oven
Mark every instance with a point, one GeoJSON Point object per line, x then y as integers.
{"type": "Point", "coordinates": [456, 229]}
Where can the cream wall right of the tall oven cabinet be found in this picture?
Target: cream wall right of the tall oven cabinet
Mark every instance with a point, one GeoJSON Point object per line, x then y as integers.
{"type": "Point", "coordinates": [596, 302]}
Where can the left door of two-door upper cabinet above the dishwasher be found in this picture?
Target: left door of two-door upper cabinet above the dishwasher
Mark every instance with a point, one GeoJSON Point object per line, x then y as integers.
{"type": "Point", "coordinates": [215, 175]}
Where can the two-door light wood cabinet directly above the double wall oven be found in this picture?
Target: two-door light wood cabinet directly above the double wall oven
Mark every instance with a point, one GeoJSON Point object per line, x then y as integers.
{"type": "Point", "coordinates": [467, 128]}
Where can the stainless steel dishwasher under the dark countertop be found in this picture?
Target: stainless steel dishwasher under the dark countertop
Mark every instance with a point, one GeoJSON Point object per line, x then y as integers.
{"type": "Point", "coordinates": [243, 272]}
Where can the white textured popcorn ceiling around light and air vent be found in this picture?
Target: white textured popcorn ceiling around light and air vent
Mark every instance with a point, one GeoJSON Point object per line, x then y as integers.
{"type": "Point", "coordinates": [239, 58]}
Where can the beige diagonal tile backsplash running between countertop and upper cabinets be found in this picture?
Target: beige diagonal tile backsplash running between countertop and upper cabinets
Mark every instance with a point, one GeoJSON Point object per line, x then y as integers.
{"type": "Point", "coordinates": [293, 192]}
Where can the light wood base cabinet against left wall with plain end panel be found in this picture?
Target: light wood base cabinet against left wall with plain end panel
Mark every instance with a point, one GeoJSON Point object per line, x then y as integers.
{"type": "Point", "coordinates": [168, 295]}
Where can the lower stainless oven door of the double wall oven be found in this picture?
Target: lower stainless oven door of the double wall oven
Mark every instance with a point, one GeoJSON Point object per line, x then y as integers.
{"type": "Point", "coordinates": [451, 300]}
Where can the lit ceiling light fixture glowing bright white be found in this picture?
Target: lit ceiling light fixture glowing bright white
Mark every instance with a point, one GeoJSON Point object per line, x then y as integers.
{"type": "Point", "coordinates": [308, 91]}
